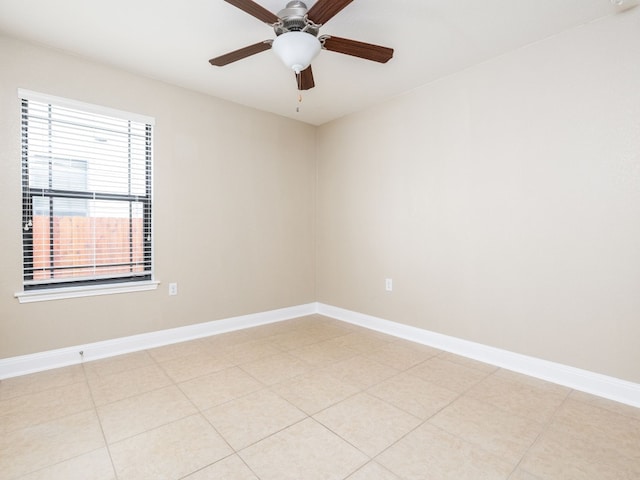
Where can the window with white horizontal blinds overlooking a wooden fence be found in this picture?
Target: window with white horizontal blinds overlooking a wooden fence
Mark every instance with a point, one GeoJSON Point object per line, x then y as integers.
{"type": "Point", "coordinates": [86, 201]}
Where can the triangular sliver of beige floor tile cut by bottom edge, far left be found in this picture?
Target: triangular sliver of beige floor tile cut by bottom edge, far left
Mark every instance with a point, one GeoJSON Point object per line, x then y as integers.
{"type": "Point", "coordinates": [95, 465]}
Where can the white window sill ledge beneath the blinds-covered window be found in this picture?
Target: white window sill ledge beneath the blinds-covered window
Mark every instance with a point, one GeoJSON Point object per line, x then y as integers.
{"type": "Point", "coordinates": [84, 291]}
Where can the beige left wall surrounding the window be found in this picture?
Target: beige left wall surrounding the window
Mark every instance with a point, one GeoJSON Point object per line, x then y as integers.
{"type": "Point", "coordinates": [234, 221]}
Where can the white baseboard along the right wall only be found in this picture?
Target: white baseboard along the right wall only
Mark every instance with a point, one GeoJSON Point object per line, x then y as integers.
{"type": "Point", "coordinates": [594, 383]}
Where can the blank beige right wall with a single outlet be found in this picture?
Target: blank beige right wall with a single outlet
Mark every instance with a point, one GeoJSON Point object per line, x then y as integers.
{"type": "Point", "coordinates": [504, 201]}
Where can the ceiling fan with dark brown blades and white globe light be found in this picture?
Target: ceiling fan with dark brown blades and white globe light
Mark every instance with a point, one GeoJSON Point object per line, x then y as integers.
{"type": "Point", "coordinates": [297, 41]}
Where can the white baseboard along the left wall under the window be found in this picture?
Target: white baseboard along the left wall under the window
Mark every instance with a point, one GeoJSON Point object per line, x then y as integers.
{"type": "Point", "coordinates": [37, 362]}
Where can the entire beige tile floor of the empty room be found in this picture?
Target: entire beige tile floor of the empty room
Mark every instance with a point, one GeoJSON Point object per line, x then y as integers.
{"type": "Point", "coordinates": [311, 398]}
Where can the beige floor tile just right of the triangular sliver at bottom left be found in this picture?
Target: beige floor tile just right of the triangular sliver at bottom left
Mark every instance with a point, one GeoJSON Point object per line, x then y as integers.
{"type": "Point", "coordinates": [169, 452]}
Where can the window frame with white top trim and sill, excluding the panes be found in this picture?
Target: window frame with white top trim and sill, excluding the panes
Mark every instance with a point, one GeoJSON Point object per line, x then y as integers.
{"type": "Point", "coordinates": [98, 284]}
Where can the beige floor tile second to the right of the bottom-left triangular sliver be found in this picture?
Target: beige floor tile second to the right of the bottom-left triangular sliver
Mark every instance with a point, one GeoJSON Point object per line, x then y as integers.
{"type": "Point", "coordinates": [252, 418]}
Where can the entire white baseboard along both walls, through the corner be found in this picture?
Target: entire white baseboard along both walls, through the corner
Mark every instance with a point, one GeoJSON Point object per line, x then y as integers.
{"type": "Point", "coordinates": [594, 383]}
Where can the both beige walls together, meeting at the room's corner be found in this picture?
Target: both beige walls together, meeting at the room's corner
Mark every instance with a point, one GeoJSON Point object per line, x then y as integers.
{"type": "Point", "coordinates": [504, 201]}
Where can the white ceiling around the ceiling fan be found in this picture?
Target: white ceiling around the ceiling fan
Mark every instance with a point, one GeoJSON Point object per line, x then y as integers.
{"type": "Point", "coordinates": [173, 40]}
